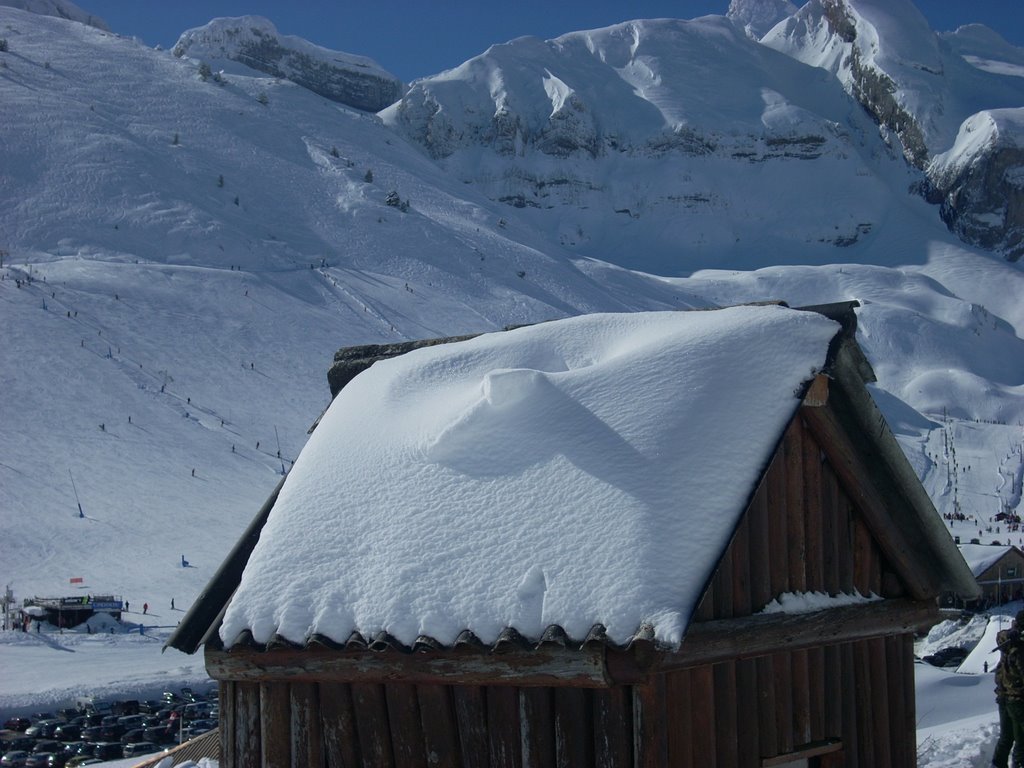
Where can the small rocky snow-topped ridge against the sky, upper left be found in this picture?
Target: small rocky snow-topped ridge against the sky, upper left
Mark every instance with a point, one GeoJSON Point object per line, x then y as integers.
{"type": "Point", "coordinates": [354, 81]}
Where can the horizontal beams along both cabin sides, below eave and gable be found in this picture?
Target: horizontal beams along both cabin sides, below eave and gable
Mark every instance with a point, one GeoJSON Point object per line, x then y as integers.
{"type": "Point", "coordinates": [706, 643]}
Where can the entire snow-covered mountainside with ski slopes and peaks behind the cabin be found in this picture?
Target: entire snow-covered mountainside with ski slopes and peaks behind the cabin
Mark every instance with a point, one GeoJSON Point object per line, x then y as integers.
{"type": "Point", "coordinates": [184, 253]}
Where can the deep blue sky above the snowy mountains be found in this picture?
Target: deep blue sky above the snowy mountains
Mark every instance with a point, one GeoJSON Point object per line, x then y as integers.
{"type": "Point", "coordinates": [416, 38]}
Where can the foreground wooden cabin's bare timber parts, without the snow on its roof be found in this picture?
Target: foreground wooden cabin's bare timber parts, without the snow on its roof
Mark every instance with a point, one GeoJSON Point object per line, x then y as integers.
{"type": "Point", "coordinates": [798, 651]}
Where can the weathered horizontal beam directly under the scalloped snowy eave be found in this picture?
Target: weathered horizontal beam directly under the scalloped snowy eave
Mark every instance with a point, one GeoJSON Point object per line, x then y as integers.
{"type": "Point", "coordinates": [546, 667]}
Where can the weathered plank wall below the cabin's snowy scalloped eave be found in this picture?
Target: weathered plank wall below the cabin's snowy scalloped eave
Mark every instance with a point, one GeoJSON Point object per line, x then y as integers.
{"type": "Point", "coordinates": [359, 726]}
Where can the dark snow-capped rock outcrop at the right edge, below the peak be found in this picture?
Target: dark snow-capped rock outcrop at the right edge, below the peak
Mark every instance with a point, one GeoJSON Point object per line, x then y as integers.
{"type": "Point", "coordinates": [980, 183]}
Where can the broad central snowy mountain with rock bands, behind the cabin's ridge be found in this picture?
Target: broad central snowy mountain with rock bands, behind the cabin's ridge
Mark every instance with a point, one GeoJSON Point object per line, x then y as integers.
{"type": "Point", "coordinates": [666, 146]}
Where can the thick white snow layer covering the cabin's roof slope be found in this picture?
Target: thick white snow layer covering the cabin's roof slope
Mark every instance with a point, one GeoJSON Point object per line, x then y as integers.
{"type": "Point", "coordinates": [586, 472]}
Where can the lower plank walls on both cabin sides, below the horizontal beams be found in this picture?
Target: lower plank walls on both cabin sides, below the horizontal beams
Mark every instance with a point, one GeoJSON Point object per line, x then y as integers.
{"type": "Point", "coordinates": [729, 715]}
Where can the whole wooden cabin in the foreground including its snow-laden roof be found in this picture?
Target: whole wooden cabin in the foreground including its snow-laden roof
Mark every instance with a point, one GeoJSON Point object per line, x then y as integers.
{"type": "Point", "coordinates": [661, 539]}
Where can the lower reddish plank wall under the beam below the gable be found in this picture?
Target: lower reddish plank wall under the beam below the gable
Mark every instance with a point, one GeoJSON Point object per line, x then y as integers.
{"type": "Point", "coordinates": [746, 711]}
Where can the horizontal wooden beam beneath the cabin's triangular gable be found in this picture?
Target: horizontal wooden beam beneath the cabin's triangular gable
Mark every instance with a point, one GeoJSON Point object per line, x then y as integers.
{"type": "Point", "coordinates": [750, 637]}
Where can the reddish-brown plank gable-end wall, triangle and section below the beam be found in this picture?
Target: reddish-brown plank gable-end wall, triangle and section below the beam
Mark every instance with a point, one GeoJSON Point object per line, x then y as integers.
{"type": "Point", "coordinates": [803, 533]}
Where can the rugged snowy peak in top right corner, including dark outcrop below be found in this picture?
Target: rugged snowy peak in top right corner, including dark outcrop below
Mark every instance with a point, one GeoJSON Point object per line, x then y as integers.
{"type": "Point", "coordinates": [928, 92]}
